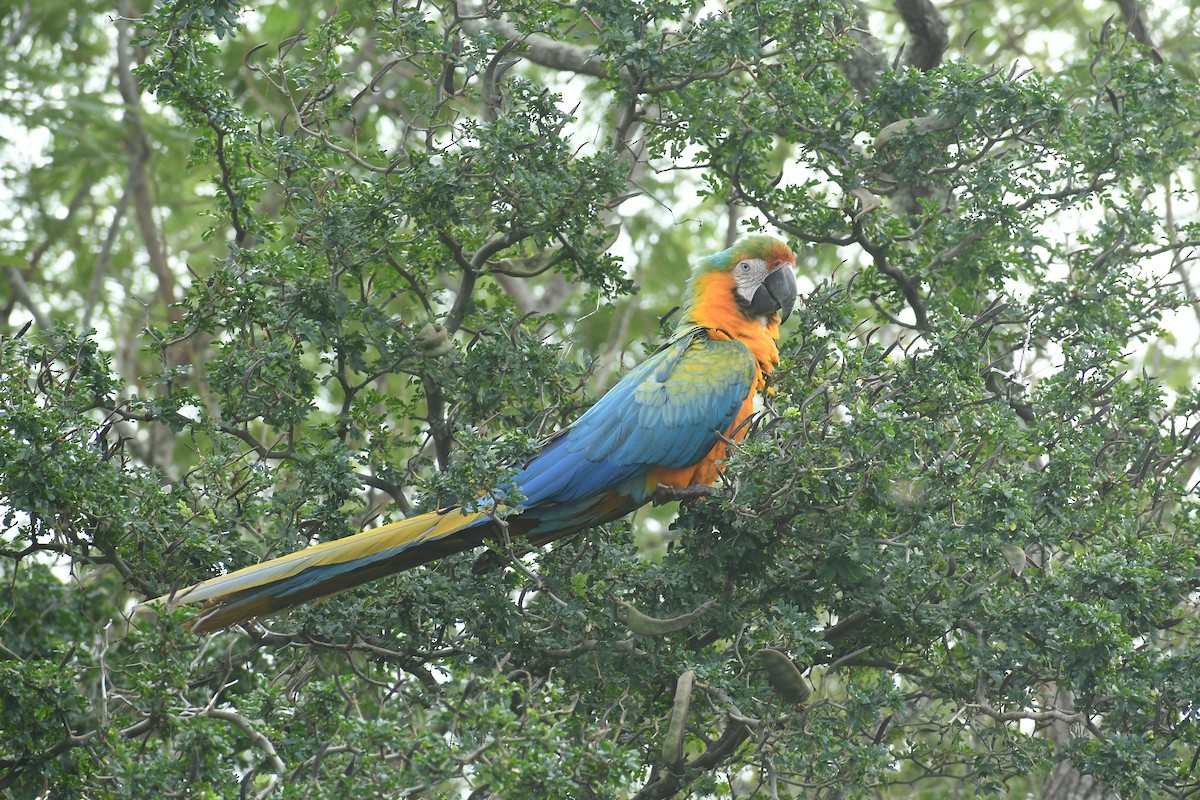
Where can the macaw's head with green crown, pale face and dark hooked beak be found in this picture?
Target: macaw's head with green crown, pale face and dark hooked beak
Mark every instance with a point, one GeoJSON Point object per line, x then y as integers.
{"type": "Point", "coordinates": [757, 274]}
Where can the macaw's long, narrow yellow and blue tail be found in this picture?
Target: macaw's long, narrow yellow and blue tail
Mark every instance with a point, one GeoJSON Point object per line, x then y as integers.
{"type": "Point", "coordinates": [277, 586]}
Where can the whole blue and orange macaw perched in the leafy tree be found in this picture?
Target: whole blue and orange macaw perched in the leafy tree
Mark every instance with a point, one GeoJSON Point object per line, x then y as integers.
{"type": "Point", "coordinates": [664, 425]}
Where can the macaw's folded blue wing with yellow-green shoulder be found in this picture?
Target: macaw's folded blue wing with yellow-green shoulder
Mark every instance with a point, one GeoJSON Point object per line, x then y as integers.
{"type": "Point", "coordinates": [668, 412]}
